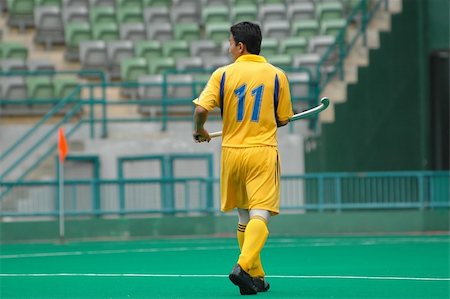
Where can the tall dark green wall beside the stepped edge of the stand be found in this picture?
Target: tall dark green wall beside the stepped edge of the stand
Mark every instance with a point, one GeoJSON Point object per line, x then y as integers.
{"type": "Point", "coordinates": [384, 125]}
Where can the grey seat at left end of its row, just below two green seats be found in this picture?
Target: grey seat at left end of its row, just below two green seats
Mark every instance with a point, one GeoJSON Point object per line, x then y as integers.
{"type": "Point", "coordinates": [93, 55]}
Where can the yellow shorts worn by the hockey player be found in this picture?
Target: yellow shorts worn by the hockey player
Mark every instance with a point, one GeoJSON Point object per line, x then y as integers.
{"type": "Point", "coordinates": [250, 179]}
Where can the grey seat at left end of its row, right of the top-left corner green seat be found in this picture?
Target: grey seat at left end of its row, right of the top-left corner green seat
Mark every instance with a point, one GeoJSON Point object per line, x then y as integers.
{"type": "Point", "coordinates": [49, 25]}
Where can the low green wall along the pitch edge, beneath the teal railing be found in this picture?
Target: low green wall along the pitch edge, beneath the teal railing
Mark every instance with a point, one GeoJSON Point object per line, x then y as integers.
{"type": "Point", "coordinates": [308, 224]}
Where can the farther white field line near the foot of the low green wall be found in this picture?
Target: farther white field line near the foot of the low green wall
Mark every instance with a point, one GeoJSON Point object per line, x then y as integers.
{"type": "Point", "coordinates": [277, 243]}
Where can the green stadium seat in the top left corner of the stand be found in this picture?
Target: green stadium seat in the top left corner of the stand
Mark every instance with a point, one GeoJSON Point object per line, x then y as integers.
{"type": "Point", "coordinates": [21, 14]}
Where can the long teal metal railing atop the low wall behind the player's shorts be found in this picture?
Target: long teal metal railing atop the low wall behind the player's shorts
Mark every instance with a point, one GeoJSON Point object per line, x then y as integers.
{"type": "Point", "coordinates": [319, 192]}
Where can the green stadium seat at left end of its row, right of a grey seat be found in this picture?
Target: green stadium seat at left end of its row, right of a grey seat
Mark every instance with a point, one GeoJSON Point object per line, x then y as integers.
{"type": "Point", "coordinates": [74, 33]}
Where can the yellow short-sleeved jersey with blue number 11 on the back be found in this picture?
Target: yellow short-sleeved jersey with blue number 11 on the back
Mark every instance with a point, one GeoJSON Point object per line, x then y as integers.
{"type": "Point", "coordinates": [252, 94]}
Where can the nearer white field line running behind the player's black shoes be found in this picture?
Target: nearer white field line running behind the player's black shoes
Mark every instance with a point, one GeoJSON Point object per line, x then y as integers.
{"type": "Point", "coordinates": [220, 276]}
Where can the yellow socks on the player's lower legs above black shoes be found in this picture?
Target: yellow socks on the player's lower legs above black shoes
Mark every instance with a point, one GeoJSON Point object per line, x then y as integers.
{"type": "Point", "coordinates": [253, 241]}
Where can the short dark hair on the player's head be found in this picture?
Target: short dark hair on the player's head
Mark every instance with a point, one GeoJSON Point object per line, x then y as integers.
{"type": "Point", "coordinates": [249, 34]}
